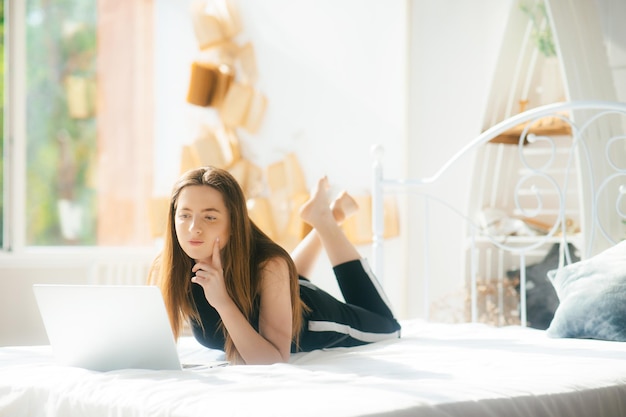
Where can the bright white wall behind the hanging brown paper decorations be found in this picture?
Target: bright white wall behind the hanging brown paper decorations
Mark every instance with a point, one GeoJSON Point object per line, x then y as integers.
{"type": "Point", "coordinates": [334, 74]}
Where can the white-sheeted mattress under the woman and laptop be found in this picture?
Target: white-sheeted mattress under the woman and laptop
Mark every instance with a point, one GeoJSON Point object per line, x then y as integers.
{"type": "Point", "coordinates": [434, 370]}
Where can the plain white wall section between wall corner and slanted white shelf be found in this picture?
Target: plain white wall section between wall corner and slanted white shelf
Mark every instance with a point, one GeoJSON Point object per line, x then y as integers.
{"type": "Point", "coordinates": [454, 46]}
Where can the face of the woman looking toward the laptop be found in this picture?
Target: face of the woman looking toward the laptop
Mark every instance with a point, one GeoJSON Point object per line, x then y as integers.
{"type": "Point", "coordinates": [201, 217]}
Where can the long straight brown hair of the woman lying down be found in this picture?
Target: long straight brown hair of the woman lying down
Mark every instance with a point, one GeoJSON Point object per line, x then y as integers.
{"type": "Point", "coordinates": [243, 258]}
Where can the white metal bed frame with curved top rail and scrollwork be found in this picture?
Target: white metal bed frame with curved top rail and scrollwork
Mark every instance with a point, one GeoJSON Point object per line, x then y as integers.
{"type": "Point", "coordinates": [590, 122]}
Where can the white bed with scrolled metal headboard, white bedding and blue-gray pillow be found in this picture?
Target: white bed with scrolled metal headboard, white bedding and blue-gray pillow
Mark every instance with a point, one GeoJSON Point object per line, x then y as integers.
{"type": "Point", "coordinates": [436, 369]}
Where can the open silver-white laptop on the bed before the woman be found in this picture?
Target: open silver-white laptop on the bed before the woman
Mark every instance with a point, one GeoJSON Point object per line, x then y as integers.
{"type": "Point", "coordinates": [108, 327]}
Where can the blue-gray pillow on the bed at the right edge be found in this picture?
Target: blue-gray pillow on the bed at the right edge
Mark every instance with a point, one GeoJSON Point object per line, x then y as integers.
{"type": "Point", "coordinates": [592, 297]}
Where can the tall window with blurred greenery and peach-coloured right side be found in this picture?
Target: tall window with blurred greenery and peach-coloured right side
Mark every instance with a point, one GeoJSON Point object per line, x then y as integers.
{"type": "Point", "coordinates": [79, 122]}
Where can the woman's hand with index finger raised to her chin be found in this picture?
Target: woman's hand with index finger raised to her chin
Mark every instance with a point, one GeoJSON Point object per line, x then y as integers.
{"type": "Point", "coordinates": [210, 276]}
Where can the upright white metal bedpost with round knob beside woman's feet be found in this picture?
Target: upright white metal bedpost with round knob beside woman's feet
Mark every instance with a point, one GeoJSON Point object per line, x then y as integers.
{"type": "Point", "coordinates": [377, 211]}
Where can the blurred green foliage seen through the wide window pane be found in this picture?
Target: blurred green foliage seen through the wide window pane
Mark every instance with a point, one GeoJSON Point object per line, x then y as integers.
{"type": "Point", "coordinates": [61, 146]}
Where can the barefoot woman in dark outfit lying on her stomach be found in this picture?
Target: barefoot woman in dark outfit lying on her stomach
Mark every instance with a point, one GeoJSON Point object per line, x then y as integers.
{"type": "Point", "coordinates": [244, 294]}
